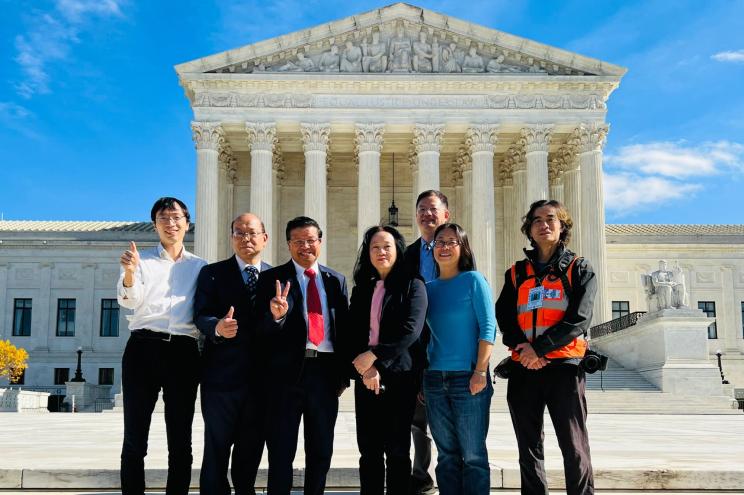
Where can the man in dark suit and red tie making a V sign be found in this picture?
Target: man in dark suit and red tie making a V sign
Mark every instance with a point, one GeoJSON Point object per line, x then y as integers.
{"type": "Point", "coordinates": [305, 308]}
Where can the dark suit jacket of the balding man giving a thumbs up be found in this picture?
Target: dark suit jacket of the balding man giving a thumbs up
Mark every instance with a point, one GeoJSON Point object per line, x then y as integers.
{"type": "Point", "coordinates": [227, 363]}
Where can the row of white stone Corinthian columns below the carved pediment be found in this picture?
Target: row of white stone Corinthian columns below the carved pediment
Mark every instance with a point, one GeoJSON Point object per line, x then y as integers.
{"type": "Point", "coordinates": [574, 176]}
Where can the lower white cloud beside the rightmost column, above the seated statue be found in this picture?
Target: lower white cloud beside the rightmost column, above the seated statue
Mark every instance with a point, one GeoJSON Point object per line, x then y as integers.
{"type": "Point", "coordinates": [628, 192]}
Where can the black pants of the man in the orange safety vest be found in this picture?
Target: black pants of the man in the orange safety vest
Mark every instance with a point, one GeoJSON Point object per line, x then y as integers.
{"type": "Point", "coordinates": [561, 388]}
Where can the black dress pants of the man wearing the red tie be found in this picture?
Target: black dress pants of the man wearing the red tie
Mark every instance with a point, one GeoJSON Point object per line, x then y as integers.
{"type": "Point", "coordinates": [314, 399]}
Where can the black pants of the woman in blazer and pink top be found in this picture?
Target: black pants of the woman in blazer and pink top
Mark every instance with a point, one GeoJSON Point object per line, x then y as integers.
{"type": "Point", "coordinates": [383, 424]}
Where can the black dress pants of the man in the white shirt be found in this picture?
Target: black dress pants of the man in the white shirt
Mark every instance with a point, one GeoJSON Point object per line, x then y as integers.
{"type": "Point", "coordinates": [149, 365]}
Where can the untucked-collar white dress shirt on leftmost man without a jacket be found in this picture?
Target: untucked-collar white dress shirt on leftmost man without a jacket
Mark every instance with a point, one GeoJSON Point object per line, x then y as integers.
{"type": "Point", "coordinates": [162, 295]}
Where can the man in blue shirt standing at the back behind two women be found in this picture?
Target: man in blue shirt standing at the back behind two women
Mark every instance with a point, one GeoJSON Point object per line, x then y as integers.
{"type": "Point", "coordinates": [431, 212]}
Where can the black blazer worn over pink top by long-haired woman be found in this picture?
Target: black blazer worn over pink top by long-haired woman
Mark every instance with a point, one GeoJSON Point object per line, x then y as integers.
{"type": "Point", "coordinates": [403, 316]}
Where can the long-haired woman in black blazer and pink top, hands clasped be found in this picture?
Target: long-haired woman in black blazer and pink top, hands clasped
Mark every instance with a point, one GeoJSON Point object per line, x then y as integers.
{"type": "Point", "coordinates": [388, 310]}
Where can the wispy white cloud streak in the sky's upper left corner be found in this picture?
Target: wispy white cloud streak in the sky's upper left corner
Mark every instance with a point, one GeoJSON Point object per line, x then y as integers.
{"type": "Point", "coordinates": [52, 37]}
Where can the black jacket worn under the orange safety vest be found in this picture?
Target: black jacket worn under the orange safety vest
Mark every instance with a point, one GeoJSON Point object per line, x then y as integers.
{"type": "Point", "coordinates": [578, 316]}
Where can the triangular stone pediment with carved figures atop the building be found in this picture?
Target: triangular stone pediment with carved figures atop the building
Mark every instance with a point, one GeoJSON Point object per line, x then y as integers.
{"type": "Point", "coordinates": [400, 39]}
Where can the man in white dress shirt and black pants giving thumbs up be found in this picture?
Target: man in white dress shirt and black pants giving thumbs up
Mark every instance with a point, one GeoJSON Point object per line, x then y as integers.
{"type": "Point", "coordinates": [158, 284]}
